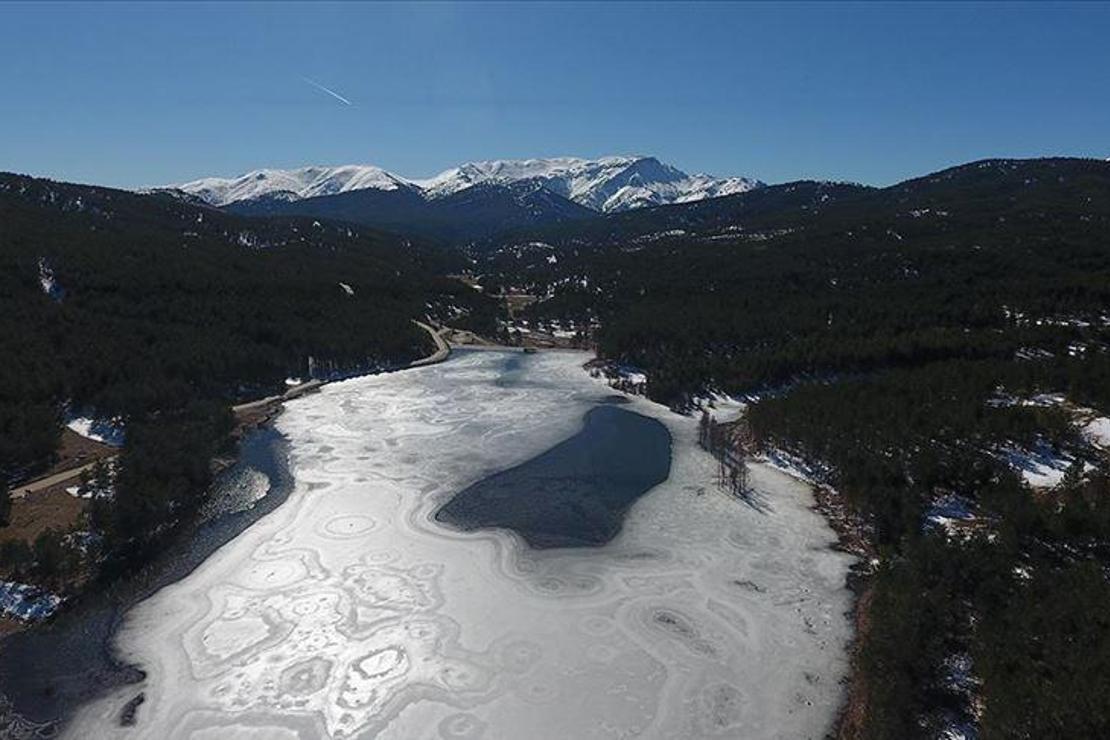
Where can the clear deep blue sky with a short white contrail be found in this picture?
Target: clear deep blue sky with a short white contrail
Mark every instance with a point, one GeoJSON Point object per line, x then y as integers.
{"type": "Point", "coordinates": [134, 95]}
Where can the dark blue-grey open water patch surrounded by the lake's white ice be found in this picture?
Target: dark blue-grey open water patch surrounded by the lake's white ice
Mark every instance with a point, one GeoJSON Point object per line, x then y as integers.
{"type": "Point", "coordinates": [576, 494]}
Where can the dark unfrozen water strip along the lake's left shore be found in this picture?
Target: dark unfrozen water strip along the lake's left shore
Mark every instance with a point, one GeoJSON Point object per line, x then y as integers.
{"type": "Point", "coordinates": [49, 672]}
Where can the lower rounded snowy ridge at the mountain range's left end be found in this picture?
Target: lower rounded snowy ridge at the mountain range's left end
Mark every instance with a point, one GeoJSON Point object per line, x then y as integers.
{"type": "Point", "coordinates": [292, 185]}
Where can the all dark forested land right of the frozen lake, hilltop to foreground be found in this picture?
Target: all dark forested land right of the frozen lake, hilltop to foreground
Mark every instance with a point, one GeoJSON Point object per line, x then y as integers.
{"type": "Point", "coordinates": [936, 353]}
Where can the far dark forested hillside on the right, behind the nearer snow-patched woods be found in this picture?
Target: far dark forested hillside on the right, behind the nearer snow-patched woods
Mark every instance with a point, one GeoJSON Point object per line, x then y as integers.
{"type": "Point", "coordinates": [809, 279]}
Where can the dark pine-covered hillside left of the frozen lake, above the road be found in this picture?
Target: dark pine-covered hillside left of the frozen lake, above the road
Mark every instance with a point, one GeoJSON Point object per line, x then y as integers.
{"type": "Point", "coordinates": [127, 305]}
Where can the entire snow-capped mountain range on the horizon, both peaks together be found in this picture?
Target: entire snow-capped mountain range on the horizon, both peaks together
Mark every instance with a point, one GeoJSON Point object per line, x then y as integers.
{"type": "Point", "coordinates": [607, 185]}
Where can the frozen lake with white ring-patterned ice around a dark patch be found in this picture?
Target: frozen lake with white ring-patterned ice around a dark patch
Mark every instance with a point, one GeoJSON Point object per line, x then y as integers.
{"type": "Point", "coordinates": [352, 612]}
